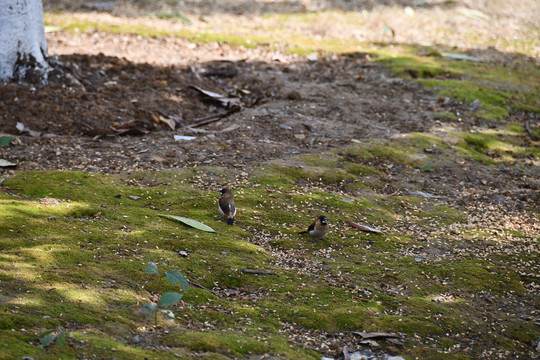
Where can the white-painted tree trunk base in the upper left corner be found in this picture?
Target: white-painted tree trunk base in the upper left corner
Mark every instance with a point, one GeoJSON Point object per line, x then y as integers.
{"type": "Point", "coordinates": [22, 37]}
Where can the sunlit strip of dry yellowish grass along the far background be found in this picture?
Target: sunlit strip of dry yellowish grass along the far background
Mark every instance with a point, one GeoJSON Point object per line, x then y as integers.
{"type": "Point", "coordinates": [508, 26]}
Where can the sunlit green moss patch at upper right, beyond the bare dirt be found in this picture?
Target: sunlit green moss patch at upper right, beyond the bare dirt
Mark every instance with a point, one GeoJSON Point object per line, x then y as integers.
{"type": "Point", "coordinates": [494, 88]}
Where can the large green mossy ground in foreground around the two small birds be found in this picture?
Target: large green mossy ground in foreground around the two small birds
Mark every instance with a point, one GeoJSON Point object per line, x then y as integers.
{"type": "Point", "coordinates": [74, 246]}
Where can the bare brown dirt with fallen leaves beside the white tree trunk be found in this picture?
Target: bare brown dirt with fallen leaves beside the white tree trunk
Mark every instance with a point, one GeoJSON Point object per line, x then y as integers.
{"type": "Point", "coordinates": [123, 84]}
